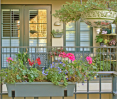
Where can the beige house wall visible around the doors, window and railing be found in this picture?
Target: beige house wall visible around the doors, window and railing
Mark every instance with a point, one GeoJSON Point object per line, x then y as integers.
{"type": "Point", "coordinates": [56, 4]}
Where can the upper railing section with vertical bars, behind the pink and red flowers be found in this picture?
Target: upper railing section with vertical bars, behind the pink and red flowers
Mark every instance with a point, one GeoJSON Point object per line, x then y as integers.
{"type": "Point", "coordinates": [104, 57]}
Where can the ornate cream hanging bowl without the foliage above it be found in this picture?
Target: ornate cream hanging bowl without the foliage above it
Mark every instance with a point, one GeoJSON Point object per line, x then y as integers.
{"type": "Point", "coordinates": [99, 18]}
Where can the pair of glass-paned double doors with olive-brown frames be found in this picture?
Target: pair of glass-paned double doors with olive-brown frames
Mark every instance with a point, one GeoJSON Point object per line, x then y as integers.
{"type": "Point", "coordinates": [25, 25]}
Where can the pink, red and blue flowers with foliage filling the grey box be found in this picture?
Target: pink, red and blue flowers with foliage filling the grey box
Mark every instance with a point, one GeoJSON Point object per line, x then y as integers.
{"type": "Point", "coordinates": [76, 71]}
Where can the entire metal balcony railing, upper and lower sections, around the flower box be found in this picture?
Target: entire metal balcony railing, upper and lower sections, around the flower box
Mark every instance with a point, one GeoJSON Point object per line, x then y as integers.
{"type": "Point", "coordinates": [104, 57]}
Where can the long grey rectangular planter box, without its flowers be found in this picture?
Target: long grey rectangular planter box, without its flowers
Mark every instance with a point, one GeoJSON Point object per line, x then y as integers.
{"type": "Point", "coordinates": [39, 89]}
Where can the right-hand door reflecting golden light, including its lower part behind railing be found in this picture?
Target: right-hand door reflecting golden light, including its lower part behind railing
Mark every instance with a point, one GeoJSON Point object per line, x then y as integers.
{"type": "Point", "coordinates": [37, 32]}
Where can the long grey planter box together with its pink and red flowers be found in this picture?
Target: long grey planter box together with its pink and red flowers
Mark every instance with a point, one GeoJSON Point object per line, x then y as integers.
{"type": "Point", "coordinates": [31, 82]}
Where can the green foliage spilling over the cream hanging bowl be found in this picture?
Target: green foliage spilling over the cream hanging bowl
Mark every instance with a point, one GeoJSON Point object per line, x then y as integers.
{"type": "Point", "coordinates": [72, 11]}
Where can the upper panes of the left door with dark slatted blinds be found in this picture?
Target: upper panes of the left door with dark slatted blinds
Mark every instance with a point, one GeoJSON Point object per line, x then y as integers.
{"type": "Point", "coordinates": [10, 23]}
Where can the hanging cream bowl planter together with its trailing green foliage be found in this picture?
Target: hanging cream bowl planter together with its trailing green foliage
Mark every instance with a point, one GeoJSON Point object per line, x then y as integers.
{"type": "Point", "coordinates": [95, 13]}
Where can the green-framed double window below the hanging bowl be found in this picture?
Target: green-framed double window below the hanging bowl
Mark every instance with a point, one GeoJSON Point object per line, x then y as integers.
{"type": "Point", "coordinates": [78, 34]}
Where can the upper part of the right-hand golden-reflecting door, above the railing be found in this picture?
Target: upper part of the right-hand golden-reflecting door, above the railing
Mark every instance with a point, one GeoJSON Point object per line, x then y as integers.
{"type": "Point", "coordinates": [37, 26]}
